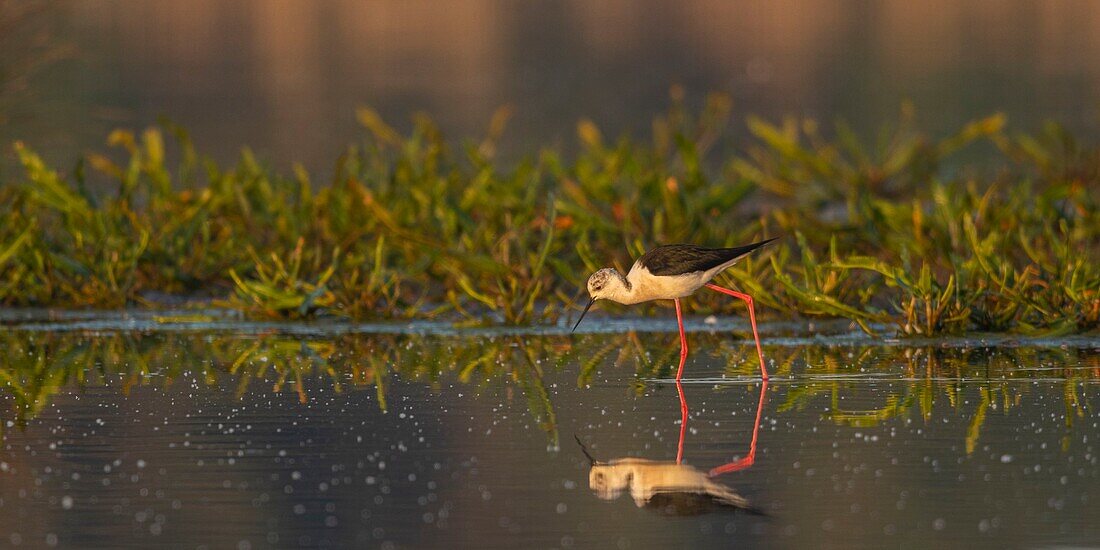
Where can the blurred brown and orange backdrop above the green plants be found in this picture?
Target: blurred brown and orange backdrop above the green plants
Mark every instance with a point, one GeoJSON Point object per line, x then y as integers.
{"type": "Point", "coordinates": [285, 76]}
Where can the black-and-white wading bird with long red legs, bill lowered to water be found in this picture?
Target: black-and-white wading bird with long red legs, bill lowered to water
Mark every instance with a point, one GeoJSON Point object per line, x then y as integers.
{"type": "Point", "coordinates": [670, 273]}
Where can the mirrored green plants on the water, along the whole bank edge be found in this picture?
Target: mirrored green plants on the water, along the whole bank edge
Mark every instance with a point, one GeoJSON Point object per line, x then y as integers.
{"type": "Point", "coordinates": [34, 368]}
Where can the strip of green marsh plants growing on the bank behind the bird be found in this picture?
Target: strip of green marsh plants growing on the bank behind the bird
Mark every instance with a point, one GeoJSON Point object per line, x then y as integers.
{"type": "Point", "coordinates": [895, 234]}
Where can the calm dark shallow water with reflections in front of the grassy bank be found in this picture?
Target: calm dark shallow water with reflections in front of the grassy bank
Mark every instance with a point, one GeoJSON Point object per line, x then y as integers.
{"type": "Point", "coordinates": [266, 435]}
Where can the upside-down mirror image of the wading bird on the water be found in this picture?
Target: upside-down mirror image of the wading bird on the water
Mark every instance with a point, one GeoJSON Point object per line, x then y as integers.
{"type": "Point", "coordinates": [672, 488]}
